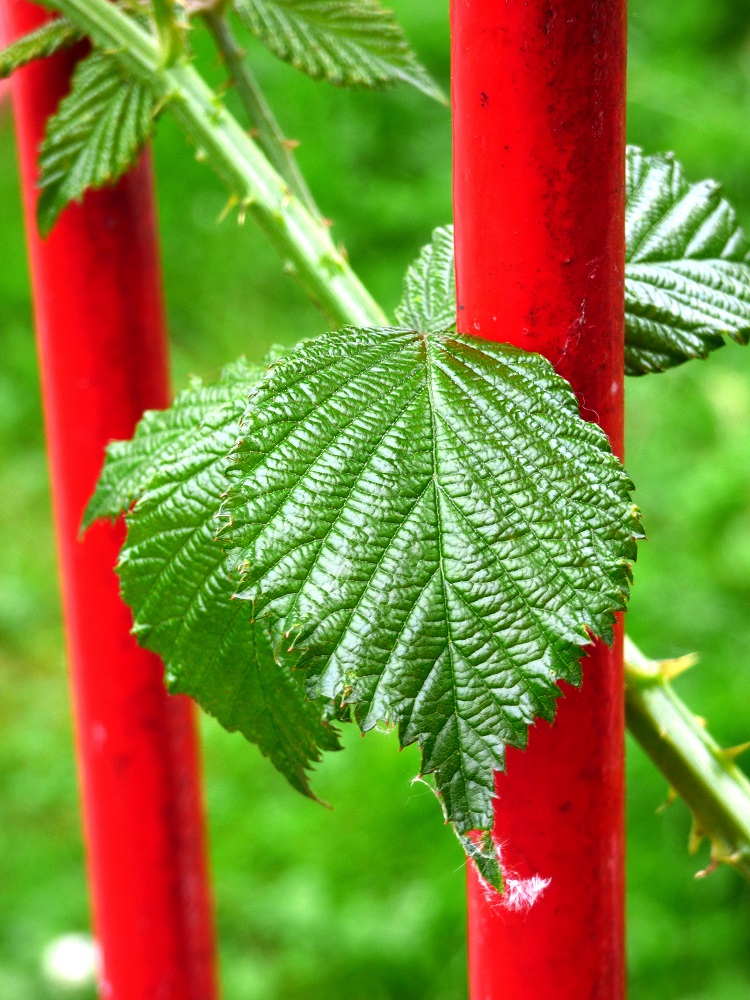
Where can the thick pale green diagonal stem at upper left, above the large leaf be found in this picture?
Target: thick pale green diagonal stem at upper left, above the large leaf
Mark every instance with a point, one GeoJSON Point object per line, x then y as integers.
{"type": "Point", "coordinates": [302, 240]}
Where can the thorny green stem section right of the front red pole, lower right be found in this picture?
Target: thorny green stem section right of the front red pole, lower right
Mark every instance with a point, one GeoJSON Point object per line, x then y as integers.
{"type": "Point", "coordinates": [697, 768]}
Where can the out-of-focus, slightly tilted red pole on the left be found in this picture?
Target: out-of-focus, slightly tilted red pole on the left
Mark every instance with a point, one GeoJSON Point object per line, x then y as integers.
{"type": "Point", "coordinates": [100, 331]}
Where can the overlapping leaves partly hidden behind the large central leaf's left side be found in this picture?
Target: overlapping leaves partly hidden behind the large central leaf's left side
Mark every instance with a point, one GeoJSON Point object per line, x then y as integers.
{"type": "Point", "coordinates": [174, 575]}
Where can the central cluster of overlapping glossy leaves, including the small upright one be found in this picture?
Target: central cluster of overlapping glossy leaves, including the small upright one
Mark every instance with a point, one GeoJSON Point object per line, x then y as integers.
{"type": "Point", "coordinates": [418, 529]}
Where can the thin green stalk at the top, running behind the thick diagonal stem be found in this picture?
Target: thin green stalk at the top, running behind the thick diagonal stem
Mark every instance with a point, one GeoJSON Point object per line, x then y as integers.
{"type": "Point", "coordinates": [256, 107]}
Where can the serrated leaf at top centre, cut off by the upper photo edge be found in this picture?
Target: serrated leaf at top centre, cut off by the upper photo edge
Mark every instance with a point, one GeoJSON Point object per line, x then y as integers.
{"type": "Point", "coordinates": [350, 43]}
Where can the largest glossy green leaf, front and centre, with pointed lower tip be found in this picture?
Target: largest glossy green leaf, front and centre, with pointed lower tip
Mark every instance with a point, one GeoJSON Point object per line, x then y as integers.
{"type": "Point", "coordinates": [428, 523]}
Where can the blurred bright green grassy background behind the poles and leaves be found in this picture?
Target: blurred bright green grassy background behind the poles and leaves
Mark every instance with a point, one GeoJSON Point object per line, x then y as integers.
{"type": "Point", "coordinates": [367, 901]}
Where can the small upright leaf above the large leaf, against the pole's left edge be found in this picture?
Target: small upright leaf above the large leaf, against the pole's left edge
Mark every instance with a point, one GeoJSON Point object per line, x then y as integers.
{"type": "Point", "coordinates": [429, 299]}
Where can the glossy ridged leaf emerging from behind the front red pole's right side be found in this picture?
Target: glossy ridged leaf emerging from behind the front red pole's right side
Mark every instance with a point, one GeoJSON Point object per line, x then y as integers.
{"type": "Point", "coordinates": [687, 279]}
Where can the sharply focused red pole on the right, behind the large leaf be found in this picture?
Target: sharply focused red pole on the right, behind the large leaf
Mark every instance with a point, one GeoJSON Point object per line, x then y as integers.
{"type": "Point", "coordinates": [538, 93]}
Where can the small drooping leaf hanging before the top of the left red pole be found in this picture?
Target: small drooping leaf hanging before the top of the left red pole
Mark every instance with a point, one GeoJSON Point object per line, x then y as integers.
{"type": "Point", "coordinates": [94, 137]}
